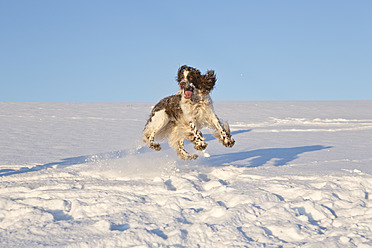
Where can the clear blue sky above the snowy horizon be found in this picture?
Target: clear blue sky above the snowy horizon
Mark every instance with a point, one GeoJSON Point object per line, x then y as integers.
{"type": "Point", "coordinates": [129, 51]}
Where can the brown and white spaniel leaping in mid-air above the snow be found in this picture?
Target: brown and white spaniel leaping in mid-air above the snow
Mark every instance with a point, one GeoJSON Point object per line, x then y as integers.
{"type": "Point", "coordinates": [181, 116]}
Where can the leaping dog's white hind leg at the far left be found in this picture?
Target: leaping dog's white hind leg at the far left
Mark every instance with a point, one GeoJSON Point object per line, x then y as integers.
{"type": "Point", "coordinates": [156, 122]}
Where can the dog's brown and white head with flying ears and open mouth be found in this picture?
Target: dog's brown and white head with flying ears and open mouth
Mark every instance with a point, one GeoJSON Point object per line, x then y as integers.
{"type": "Point", "coordinates": [191, 81]}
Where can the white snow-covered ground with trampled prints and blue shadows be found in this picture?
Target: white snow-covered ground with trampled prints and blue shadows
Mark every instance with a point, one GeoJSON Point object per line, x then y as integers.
{"type": "Point", "coordinates": [74, 175]}
